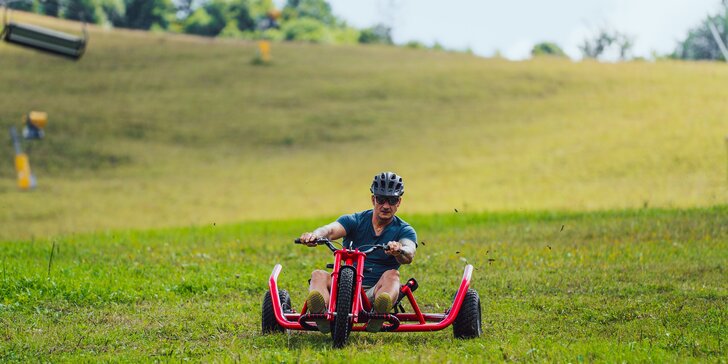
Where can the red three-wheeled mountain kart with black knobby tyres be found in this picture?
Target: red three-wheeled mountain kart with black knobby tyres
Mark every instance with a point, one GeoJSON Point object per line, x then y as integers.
{"type": "Point", "coordinates": [350, 309]}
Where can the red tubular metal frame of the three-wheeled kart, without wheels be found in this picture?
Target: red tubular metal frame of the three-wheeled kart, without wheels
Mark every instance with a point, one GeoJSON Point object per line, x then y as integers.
{"type": "Point", "coordinates": [421, 321]}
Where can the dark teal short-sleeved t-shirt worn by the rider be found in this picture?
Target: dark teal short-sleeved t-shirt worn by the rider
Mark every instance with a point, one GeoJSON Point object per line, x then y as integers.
{"type": "Point", "coordinates": [360, 231]}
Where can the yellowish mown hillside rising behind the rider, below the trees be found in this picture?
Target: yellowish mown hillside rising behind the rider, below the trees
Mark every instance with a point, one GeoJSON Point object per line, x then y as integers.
{"type": "Point", "coordinates": [152, 130]}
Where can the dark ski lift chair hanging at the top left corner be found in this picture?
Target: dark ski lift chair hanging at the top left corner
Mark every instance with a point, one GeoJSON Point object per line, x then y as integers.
{"type": "Point", "coordinates": [44, 39]}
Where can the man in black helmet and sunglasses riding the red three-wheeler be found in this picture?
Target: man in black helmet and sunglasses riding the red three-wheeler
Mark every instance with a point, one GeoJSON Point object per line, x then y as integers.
{"type": "Point", "coordinates": [371, 227]}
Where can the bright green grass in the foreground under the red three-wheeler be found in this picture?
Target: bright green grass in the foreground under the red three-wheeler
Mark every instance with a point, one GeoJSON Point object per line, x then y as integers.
{"type": "Point", "coordinates": [635, 285]}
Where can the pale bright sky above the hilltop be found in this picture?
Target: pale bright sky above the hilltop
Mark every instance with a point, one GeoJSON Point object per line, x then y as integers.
{"type": "Point", "coordinates": [511, 28]}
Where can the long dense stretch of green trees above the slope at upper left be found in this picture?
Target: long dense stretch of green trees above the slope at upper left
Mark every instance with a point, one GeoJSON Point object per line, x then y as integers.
{"type": "Point", "coordinates": [305, 20]}
